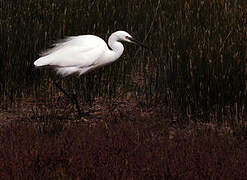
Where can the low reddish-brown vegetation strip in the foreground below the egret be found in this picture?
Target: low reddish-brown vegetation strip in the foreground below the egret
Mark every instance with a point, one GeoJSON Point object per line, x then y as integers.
{"type": "Point", "coordinates": [121, 150]}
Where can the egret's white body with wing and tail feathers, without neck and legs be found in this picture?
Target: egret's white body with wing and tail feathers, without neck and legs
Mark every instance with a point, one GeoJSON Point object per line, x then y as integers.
{"type": "Point", "coordinates": [74, 54]}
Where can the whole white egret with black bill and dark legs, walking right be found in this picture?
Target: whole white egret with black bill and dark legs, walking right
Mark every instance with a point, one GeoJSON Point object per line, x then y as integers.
{"type": "Point", "coordinates": [81, 54]}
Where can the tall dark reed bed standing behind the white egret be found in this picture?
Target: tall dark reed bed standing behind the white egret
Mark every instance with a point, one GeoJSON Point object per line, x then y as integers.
{"type": "Point", "coordinates": [197, 67]}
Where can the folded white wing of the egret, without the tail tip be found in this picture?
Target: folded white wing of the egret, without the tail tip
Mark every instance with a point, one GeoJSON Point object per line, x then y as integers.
{"type": "Point", "coordinates": [80, 51]}
